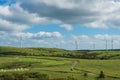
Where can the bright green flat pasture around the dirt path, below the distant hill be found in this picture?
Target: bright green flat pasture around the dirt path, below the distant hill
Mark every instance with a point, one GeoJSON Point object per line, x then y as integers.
{"type": "Point", "coordinates": [57, 67]}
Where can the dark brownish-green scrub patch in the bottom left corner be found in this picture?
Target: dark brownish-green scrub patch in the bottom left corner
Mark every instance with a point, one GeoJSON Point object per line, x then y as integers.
{"type": "Point", "coordinates": [24, 76]}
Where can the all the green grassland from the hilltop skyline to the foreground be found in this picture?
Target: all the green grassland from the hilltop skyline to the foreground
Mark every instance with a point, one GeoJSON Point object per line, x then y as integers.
{"type": "Point", "coordinates": [56, 63]}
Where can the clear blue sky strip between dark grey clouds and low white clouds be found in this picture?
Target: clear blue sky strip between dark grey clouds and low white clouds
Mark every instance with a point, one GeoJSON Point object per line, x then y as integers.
{"type": "Point", "coordinates": [78, 30]}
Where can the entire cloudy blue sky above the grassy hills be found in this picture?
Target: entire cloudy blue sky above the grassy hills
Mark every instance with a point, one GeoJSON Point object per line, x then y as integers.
{"type": "Point", "coordinates": [65, 24]}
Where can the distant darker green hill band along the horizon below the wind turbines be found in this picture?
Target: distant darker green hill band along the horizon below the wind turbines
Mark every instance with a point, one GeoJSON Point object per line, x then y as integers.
{"type": "Point", "coordinates": [54, 52]}
